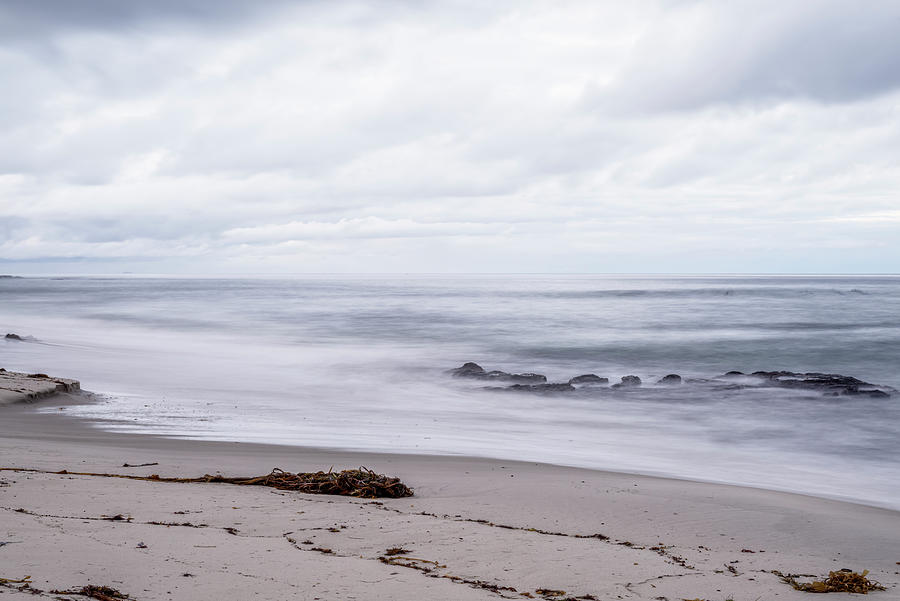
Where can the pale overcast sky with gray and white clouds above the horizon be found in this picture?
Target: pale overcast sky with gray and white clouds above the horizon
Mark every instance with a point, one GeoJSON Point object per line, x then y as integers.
{"type": "Point", "coordinates": [230, 136]}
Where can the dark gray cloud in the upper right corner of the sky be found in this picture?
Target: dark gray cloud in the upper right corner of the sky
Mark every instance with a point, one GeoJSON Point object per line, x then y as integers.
{"type": "Point", "coordinates": [704, 53]}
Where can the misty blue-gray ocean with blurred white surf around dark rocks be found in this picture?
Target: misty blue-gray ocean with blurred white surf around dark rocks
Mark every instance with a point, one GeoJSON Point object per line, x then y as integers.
{"type": "Point", "coordinates": [360, 363]}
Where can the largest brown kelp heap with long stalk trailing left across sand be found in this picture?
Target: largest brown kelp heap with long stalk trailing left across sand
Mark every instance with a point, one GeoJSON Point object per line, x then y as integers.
{"type": "Point", "coordinates": [361, 482]}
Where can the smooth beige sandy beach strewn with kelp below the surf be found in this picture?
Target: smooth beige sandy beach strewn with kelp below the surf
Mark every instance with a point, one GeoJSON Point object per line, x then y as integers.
{"type": "Point", "coordinates": [473, 525]}
